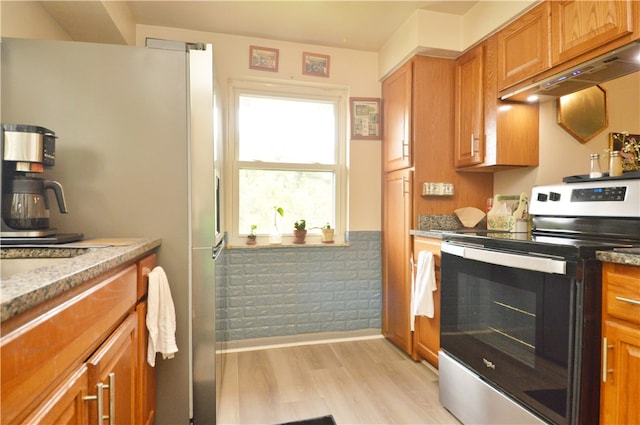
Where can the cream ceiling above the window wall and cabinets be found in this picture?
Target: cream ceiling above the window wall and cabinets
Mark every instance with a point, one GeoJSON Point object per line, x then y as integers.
{"type": "Point", "coordinates": [362, 25]}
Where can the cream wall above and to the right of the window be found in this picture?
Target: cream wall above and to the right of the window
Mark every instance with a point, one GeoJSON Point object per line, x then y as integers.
{"type": "Point", "coordinates": [353, 69]}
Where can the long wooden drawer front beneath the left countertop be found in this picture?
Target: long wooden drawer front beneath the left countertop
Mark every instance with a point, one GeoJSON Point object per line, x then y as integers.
{"type": "Point", "coordinates": [35, 356]}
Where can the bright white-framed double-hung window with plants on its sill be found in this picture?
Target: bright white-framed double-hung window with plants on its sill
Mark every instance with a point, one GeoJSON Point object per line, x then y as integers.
{"type": "Point", "coordinates": [288, 150]}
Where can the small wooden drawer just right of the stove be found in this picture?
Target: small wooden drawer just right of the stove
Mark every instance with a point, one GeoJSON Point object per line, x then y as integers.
{"type": "Point", "coordinates": [623, 292]}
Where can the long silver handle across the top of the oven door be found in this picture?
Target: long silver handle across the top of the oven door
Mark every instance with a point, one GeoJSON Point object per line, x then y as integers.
{"type": "Point", "coordinates": [526, 262]}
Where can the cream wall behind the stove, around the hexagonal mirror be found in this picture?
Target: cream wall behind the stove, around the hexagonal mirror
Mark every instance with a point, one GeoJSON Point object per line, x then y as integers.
{"type": "Point", "coordinates": [560, 154]}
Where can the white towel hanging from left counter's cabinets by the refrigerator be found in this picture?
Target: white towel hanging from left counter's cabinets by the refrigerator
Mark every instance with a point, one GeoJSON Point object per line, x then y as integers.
{"type": "Point", "coordinates": [161, 317]}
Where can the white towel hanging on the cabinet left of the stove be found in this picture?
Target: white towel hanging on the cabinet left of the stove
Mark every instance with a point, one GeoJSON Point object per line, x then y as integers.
{"type": "Point", "coordinates": [422, 287]}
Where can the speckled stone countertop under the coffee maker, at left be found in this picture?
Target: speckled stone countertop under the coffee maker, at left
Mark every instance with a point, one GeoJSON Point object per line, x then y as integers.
{"type": "Point", "coordinates": [25, 290]}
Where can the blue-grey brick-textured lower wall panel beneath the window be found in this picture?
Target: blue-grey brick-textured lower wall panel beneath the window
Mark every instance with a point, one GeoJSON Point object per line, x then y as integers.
{"type": "Point", "coordinates": [299, 290]}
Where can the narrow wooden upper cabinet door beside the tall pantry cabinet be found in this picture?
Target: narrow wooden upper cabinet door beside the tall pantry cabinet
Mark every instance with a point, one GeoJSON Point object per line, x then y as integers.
{"type": "Point", "coordinates": [469, 97]}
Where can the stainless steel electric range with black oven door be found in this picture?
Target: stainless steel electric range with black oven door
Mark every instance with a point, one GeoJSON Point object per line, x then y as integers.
{"type": "Point", "coordinates": [521, 312]}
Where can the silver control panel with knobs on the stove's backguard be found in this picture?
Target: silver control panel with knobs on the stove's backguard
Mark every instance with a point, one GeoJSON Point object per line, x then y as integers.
{"type": "Point", "coordinates": [619, 198]}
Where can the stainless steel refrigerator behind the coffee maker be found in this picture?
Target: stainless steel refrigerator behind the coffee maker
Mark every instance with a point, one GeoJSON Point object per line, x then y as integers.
{"type": "Point", "coordinates": [135, 155]}
